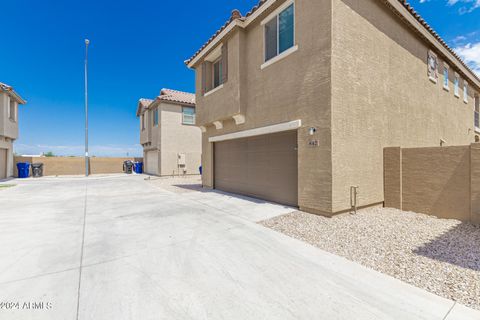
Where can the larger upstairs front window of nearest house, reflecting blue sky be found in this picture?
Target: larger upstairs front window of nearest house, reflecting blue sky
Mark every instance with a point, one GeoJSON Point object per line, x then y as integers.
{"type": "Point", "coordinates": [280, 33]}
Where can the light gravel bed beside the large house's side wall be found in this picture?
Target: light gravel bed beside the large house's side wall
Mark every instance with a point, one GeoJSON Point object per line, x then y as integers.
{"type": "Point", "coordinates": [438, 255]}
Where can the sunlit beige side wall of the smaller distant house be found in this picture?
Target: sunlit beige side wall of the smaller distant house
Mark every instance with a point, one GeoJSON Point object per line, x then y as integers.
{"type": "Point", "coordinates": [177, 138]}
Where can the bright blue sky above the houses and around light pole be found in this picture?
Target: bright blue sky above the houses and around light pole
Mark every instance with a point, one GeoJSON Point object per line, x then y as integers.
{"type": "Point", "coordinates": [137, 48]}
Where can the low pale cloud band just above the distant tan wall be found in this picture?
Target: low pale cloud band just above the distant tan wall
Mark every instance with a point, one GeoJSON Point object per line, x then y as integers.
{"type": "Point", "coordinates": [79, 150]}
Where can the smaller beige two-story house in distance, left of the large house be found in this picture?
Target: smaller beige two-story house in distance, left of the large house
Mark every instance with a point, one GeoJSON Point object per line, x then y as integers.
{"type": "Point", "coordinates": [171, 142]}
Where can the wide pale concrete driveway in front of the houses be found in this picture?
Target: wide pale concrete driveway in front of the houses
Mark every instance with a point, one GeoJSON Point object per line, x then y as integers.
{"type": "Point", "coordinates": [120, 247]}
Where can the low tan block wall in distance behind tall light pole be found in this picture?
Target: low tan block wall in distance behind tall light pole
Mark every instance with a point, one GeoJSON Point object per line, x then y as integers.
{"type": "Point", "coordinates": [57, 166]}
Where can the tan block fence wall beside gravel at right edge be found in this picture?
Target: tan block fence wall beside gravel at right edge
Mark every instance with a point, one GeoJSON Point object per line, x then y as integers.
{"type": "Point", "coordinates": [440, 181]}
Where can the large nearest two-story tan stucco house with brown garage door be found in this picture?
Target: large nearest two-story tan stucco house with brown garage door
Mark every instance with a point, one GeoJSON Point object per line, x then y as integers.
{"type": "Point", "coordinates": [297, 99]}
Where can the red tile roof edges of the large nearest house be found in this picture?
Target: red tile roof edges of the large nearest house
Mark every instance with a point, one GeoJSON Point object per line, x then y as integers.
{"type": "Point", "coordinates": [236, 15]}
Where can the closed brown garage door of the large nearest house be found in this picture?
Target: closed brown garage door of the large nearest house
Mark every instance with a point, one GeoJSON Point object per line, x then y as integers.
{"type": "Point", "coordinates": [264, 167]}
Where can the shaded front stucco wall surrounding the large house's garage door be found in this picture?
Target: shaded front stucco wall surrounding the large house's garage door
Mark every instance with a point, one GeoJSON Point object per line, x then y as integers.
{"type": "Point", "coordinates": [295, 88]}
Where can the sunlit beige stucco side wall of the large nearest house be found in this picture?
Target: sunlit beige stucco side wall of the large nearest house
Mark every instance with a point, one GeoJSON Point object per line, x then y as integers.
{"type": "Point", "coordinates": [381, 96]}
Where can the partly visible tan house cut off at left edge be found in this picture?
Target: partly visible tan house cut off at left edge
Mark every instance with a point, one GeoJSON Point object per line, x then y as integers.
{"type": "Point", "coordinates": [9, 101]}
